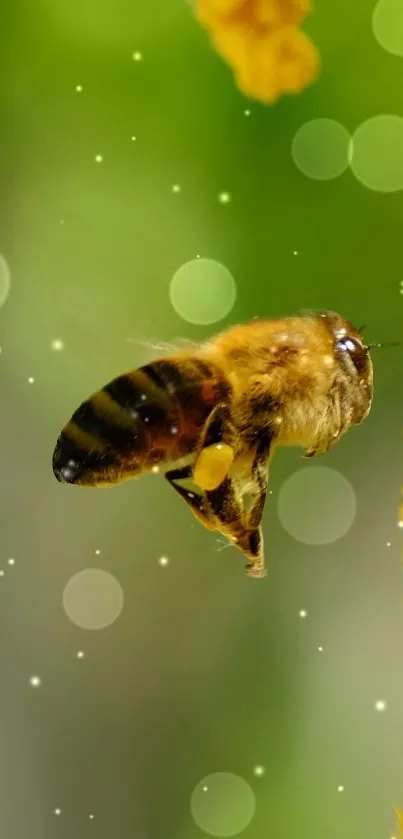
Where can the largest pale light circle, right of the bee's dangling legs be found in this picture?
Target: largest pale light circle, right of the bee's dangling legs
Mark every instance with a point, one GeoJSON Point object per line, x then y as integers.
{"type": "Point", "coordinates": [317, 505]}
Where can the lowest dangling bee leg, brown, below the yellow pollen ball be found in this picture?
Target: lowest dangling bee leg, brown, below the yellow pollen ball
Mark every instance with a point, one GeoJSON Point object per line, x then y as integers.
{"type": "Point", "coordinates": [229, 513]}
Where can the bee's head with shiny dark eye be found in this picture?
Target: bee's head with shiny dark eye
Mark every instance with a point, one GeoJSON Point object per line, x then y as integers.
{"type": "Point", "coordinates": [353, 356]}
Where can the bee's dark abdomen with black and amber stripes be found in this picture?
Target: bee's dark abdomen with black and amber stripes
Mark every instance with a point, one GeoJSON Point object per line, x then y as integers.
{"type": "Point", "coordinates": [138, 420]}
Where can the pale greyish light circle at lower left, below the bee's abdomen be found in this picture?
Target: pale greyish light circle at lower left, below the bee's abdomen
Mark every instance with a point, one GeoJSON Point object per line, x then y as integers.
{"type": "Point", "coordinates": [93, 599]}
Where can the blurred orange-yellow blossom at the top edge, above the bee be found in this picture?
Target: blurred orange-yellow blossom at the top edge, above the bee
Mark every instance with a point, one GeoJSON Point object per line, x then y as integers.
{"type": "Point", "coordinates": [261, 41]}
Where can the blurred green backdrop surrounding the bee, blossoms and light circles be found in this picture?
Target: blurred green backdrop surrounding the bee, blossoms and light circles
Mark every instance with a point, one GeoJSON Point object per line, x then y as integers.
{"type": "Point", "coordinates": [205, 670]}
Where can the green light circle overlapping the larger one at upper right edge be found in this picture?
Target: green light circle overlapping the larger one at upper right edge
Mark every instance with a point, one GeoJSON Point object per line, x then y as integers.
{"type": "Point", "coordinates": [321, 149]}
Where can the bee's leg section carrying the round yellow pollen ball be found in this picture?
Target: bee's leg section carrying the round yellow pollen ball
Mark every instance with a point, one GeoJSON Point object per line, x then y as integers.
{"type": "Point", "coordinates": [215, 451]}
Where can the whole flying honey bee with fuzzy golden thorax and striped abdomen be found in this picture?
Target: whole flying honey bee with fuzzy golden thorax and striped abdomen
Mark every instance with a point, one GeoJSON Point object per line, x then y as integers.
{"type": "Point", "coordinates": [215, 413]}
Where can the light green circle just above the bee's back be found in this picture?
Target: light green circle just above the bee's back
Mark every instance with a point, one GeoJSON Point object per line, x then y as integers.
{"type": "Point", "coordinates": [202, 291]}
